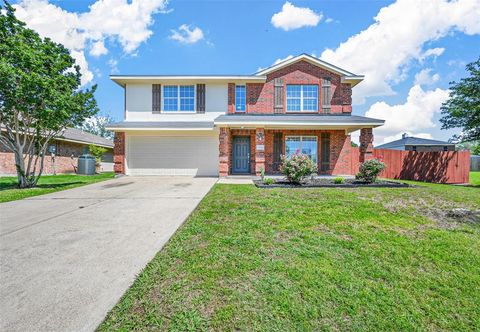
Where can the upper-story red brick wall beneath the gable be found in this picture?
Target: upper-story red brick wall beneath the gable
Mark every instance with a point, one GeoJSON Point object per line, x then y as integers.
{"type": "Point", "coordinates": [260, 96]}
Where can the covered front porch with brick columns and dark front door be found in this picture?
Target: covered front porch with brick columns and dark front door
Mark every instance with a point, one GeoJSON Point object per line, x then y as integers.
{"type": "Point", "coordinates": [249, 148]}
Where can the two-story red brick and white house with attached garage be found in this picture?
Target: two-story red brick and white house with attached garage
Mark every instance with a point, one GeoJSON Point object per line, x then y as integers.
{"type": "Point", "coordinates": [210, 125]}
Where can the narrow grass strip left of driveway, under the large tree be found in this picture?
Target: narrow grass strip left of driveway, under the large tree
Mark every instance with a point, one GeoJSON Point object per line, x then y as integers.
{"type": "Point", "coordinates": [46, 184]}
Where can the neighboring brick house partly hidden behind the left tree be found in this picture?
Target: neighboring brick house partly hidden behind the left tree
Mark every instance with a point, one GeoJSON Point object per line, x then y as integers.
{"type": "Point", "coordinates": [66, 150]}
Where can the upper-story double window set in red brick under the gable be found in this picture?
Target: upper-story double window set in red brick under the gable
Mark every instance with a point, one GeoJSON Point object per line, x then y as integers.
{"type": "Point", "coordinates": [302, 98]}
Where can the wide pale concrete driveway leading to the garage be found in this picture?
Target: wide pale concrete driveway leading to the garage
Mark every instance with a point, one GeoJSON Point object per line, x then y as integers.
{"type": "Point", "coordinates": [66, 258]}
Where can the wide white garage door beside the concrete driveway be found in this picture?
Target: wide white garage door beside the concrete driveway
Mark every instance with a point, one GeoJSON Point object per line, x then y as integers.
{"type": "Point", "coordinates": [172, 155]}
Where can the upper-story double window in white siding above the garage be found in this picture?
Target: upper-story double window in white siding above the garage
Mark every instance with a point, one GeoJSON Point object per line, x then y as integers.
{"type": "Point", "coordinates": [179, 98]}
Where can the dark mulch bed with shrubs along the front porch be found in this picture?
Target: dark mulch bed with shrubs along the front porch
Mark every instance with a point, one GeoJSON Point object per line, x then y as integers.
{"type": "Point", "coordinates": [328, 183]}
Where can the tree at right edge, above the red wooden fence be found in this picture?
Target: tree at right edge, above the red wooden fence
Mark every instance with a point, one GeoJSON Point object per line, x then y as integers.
{"type": "Point", "coordinates": [462, 109]}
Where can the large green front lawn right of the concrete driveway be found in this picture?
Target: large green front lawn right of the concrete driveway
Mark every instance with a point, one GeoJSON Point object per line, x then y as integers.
{"type": "Point", "coordinates": [313, 259]}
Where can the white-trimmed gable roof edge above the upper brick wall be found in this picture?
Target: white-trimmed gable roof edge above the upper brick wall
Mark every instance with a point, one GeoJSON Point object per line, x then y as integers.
{"type": "Point", "coordinates": [347, 77]}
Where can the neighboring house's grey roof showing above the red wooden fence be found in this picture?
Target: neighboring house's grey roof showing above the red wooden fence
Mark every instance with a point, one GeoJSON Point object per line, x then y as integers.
{"type": "Point", "coordinates": [417, 144]}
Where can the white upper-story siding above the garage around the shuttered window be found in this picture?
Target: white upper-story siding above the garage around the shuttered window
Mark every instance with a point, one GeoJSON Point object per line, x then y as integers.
{"type": "Point", "coordinates": [139, 103]}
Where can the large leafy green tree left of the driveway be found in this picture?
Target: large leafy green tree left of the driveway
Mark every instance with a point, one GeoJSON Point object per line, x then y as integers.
{"type": "Point", "coordinates": [39, 94]}
